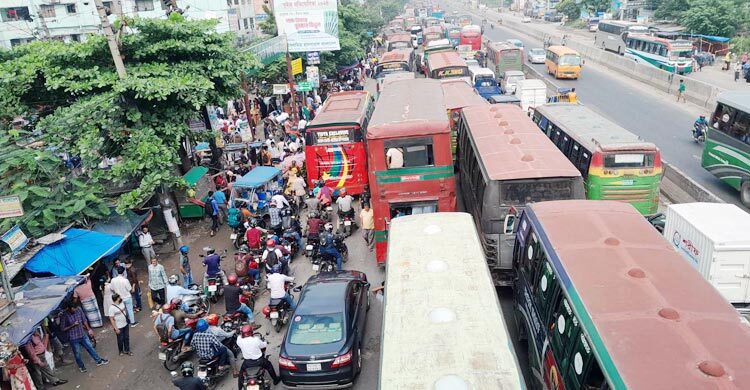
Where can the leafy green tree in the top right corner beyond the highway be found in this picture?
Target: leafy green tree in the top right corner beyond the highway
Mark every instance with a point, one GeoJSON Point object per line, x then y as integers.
{"type": "Point", "coordinates": [711, 17]}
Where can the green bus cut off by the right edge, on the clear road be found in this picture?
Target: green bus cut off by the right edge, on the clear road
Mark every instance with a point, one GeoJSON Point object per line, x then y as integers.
{"type": "Point", "coordinates": [726, 153]}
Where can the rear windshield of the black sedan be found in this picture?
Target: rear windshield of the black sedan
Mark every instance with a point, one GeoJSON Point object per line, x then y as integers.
{"type": "Point", "coordinates": [317, 329]}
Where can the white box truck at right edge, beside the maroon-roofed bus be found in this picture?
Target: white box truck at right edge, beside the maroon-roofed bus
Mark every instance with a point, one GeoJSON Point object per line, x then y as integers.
{"type": "Point", "coordinates": [715, 239]}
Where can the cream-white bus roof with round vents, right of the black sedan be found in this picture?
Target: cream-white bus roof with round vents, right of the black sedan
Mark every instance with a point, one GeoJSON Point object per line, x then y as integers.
{"type": "Point", "coordinates": [443, 327]}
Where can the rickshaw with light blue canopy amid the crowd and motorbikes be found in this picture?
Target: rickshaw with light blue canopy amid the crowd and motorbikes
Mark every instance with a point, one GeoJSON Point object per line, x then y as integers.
{"type": "Point", "coordinates": [255, 189]}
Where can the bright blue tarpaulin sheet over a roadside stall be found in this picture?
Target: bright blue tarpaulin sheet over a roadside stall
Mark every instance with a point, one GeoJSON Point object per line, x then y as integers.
{"type": "Point", "coordinates": [76, 252]}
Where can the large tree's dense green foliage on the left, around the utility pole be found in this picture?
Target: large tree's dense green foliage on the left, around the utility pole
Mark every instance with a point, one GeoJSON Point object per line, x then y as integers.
{"type": "Point", "coordinates": [175, 67]}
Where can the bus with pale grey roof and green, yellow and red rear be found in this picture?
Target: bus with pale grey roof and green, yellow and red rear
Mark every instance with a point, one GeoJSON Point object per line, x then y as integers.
{"type": "Point", "coordinates": [615, 163]}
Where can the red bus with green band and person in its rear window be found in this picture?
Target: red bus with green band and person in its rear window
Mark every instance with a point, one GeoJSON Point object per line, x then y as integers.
{"type": "Point", "coordinates": [409, 155]}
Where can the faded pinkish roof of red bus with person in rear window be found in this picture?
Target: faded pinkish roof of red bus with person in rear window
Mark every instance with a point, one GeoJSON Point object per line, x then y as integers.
{"type": "Point", "coordinates": [403, 111]}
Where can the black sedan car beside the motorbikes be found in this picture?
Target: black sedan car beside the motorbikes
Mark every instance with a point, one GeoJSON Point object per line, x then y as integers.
{"type": "Point", "coordinates": [322, 347]}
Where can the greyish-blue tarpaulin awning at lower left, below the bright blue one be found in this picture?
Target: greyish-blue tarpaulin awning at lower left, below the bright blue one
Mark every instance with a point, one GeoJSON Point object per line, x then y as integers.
{"type": "Point", "coordinates": [41, 296]}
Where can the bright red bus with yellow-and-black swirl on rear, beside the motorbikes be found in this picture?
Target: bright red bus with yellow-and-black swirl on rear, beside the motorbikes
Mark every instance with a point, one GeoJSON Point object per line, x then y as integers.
{"type": "Point", "coordinates": [335, 149]}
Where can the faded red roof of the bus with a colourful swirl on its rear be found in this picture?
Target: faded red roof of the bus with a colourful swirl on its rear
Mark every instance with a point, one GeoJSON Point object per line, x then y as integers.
{"type": "Point", "coordinates": [342, 109]}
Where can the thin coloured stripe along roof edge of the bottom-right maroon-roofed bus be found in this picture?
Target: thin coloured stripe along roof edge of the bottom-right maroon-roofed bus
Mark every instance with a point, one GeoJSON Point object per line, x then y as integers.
{"type": "Point", "coordinates": [600, 349]}
